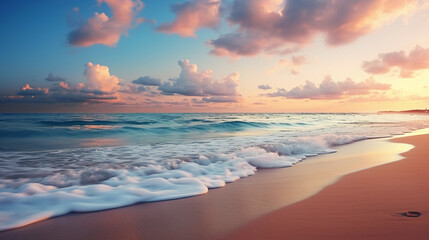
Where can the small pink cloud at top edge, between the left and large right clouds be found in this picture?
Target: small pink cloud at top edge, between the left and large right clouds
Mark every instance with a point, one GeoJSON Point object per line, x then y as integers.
{"type": "Point", "coordinates": [191, 16]}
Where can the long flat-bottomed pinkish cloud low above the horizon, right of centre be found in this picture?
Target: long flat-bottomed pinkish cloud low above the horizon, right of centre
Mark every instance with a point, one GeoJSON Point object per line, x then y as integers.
{"type": "Point", "coordinates": [329, 89]}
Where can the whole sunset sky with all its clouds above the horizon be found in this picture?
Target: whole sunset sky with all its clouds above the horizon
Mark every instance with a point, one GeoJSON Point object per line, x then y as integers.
{"type": "Point", "coordinates": [213, 55]}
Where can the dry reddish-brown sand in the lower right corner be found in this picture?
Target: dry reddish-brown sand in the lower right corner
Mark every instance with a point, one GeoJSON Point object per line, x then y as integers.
{"type": "Point", "coordinates": [364, 205]}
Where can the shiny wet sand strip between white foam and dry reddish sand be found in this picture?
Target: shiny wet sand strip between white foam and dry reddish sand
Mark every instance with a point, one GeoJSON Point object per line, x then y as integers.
{"type": "Point", "coordinates": [214, 215]}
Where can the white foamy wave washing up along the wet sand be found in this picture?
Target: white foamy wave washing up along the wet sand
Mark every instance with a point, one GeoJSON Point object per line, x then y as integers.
{"type": "Point", "coordinates": [105, 186]}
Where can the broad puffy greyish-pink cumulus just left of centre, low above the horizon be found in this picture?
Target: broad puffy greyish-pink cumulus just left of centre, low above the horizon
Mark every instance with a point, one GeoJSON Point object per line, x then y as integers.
{"type": "Point", "coordinates": [192, 82]}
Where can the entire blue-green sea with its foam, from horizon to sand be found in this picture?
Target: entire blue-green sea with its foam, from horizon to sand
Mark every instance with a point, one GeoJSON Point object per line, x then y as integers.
{"type": "Point", "coordinates": [54, 164]}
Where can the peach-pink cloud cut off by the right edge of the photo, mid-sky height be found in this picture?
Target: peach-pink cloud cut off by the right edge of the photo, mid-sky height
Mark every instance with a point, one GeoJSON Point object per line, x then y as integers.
{"type": "Point", "coordinates": [417, 59]}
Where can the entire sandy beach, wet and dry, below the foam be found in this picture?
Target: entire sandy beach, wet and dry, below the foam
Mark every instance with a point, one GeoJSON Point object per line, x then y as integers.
{"type": "Point", "coordinates": [363, 205]}
